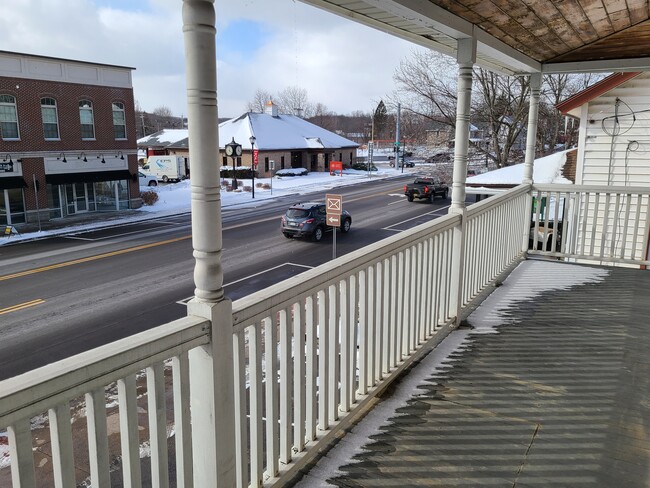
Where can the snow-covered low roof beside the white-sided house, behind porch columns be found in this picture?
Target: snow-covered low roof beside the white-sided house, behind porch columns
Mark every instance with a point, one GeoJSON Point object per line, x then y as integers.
{"type": "Point", "coordinates": [545, 170]}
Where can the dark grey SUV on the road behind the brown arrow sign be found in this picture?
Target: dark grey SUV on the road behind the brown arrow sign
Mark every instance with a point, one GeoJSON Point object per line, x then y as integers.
{"type": "Point", "coordinates": [308, 219]}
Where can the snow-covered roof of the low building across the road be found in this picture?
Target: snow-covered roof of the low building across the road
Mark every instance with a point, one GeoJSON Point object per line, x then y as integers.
{"type": "Point", "coordinates": [279, 133]}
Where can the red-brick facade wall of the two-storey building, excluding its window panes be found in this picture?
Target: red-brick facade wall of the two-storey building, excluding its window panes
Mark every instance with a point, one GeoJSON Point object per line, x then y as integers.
{"type": "Point", "coordinates": [28, 79]}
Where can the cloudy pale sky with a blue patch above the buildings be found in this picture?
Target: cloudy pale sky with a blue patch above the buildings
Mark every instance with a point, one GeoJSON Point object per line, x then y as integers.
{"type": "Point", "coordinates": [261, 44]}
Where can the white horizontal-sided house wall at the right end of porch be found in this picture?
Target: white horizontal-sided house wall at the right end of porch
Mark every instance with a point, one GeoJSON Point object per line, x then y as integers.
{"type": "Point", "coordinates": [614, 150]}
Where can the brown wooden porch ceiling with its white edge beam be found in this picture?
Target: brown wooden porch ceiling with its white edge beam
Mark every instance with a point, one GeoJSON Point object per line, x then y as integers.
{"type": "Point", "coordinates": [517, 36]}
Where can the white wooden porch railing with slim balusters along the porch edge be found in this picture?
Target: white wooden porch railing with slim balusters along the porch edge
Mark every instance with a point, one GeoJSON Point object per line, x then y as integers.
{"type": "Point", "coordinates": [310, 354]}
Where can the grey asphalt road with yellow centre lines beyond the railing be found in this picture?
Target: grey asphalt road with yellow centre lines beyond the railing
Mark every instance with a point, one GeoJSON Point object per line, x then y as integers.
{"type": "Point", "coordinates": [64, 295]}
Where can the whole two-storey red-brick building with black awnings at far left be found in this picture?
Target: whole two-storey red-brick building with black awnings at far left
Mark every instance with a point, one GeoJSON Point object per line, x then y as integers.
{"type": "Point", "coordinates": [67, 138]}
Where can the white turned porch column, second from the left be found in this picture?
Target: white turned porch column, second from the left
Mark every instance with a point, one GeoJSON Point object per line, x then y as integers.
{"type": "Point", "coordinates": [466, 58]}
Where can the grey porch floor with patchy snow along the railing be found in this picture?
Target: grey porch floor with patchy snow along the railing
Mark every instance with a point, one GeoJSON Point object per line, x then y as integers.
{"type": "Point", "coordinates": [548, 386]}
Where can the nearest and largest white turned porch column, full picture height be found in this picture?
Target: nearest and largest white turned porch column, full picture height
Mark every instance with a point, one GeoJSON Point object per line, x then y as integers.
{"type": "Point", "coordinates": [211, 382]}
